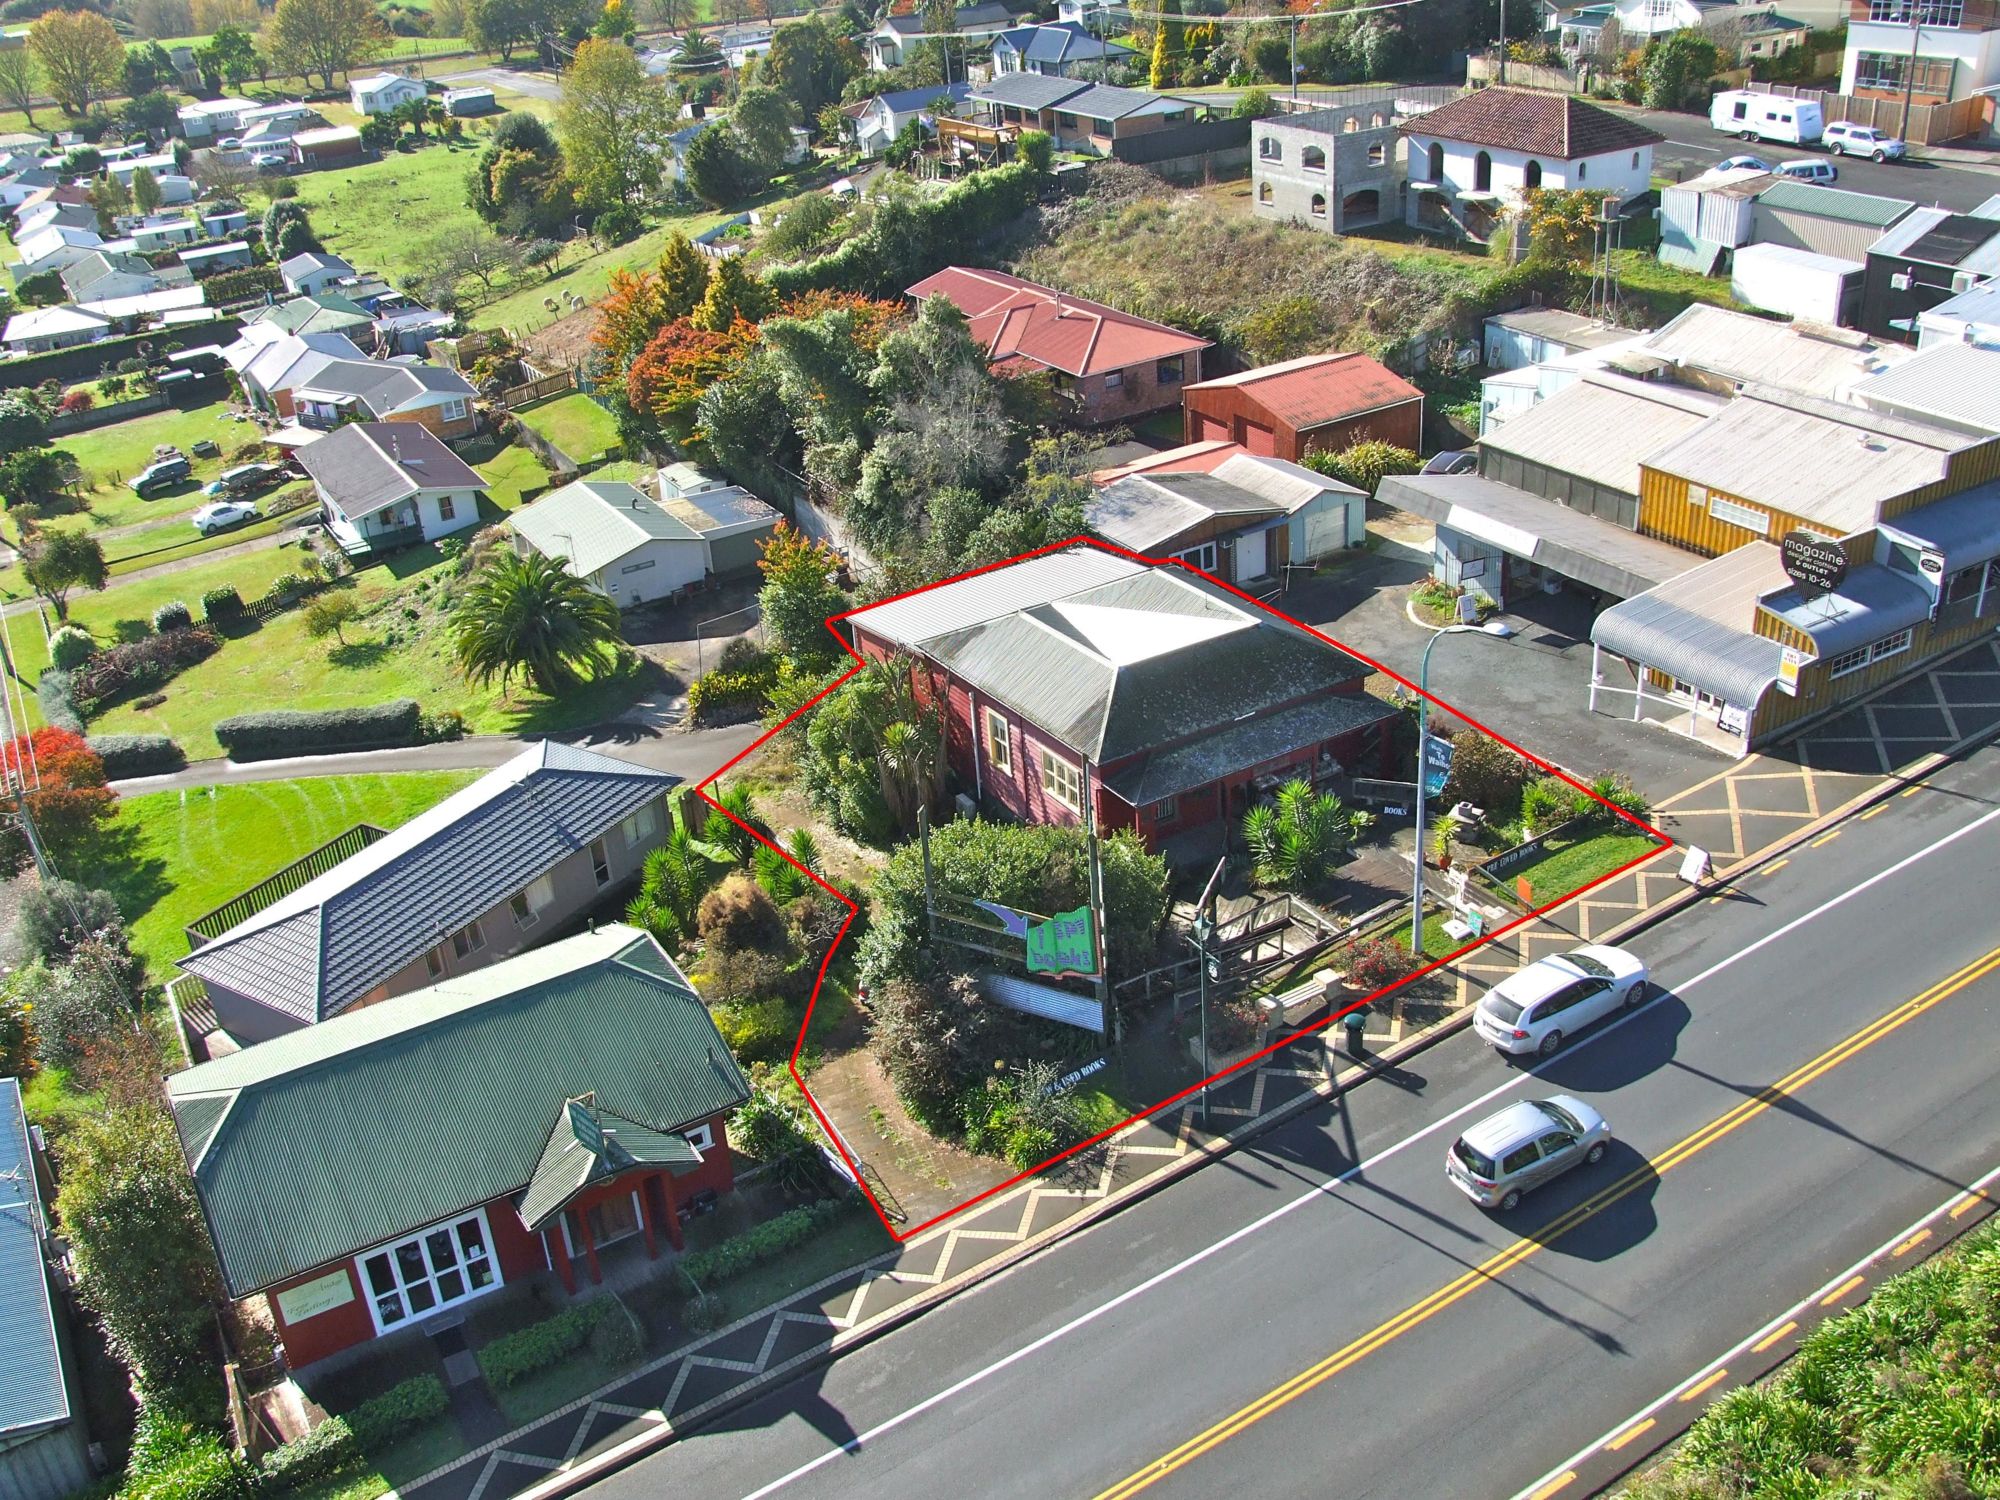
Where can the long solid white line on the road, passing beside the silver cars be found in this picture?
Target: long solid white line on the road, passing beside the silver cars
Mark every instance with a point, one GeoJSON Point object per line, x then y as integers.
{"type": "Point", "coordinates": [1083, 1321]}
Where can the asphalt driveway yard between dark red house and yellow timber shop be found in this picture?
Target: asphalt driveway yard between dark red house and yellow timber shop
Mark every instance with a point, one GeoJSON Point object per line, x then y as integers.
{"type": "Point", "coordinates": [1531, 689]}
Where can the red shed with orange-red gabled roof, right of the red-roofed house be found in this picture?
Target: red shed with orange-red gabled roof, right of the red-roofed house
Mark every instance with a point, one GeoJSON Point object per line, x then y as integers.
{"type": "Point", "coordinates": [1319, 403]}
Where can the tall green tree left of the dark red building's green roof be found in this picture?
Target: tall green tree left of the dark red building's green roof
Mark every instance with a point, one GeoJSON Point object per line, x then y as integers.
{"type": "Point", "coordinates": [143, 1257]}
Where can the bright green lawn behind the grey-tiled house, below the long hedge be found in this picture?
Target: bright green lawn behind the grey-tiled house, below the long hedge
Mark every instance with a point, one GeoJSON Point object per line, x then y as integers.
{"type": "Point", "coordinates": [185, 855]}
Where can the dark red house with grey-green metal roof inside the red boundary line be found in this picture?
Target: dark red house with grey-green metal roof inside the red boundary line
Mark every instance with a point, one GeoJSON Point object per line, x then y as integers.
{"type": "Point", "coordinates": [1091, 685]}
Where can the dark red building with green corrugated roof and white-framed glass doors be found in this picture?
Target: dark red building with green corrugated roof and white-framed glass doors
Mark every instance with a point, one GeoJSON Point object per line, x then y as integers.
{"type": "Point", "coordinates": [397, 1163]}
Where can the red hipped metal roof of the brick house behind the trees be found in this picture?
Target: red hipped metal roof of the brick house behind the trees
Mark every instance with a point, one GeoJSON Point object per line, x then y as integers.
{"type": "Point", "coordinates": [1027, 325]}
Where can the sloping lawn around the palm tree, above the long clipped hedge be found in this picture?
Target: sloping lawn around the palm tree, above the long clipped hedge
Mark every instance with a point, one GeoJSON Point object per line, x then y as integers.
{"type": "Point", "coordinates": [387, 655]}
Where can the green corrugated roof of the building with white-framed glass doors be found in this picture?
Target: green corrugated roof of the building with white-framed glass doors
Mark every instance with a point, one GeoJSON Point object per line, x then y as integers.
{"type": "Point", "coordinates": [399, 1115]}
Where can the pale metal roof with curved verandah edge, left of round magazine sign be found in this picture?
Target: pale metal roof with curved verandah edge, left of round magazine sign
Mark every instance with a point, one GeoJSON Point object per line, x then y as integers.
{"type": "Point", "coordinates": [1683, 627]}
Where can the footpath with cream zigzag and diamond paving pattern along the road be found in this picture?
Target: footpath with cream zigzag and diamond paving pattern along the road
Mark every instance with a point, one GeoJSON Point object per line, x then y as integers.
{"type": "Point", "coordinates": [1747, 817]}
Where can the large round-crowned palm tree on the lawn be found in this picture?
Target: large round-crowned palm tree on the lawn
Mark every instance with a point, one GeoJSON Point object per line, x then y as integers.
{"type": "Point", "coordinates": [531, 617]}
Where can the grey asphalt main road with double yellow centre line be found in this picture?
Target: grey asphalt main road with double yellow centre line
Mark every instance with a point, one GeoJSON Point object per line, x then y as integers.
{"type": "Point", "coordinates": [1455, 1373]}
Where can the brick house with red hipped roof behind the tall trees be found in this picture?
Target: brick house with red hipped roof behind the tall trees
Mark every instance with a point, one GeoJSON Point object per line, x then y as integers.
{"type": "Point", "coordinates": [1115, 367]}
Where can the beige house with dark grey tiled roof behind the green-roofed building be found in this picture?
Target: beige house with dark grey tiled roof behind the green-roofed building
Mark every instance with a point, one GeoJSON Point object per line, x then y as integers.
{"type": "Point", "coordinates": [489, 873]}
